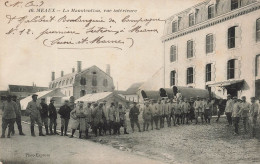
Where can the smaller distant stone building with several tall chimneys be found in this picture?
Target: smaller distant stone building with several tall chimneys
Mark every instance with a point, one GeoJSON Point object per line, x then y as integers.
{"type": "Point", "coordinates": [82, 82]}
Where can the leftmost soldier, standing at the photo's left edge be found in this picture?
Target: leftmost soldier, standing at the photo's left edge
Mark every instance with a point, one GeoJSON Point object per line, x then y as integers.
{"type": "Point", "coordinates": [8, 117]}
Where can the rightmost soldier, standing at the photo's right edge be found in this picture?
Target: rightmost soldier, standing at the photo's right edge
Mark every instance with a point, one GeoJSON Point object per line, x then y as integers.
{"type": "Point", "coordinates": [254, 110]}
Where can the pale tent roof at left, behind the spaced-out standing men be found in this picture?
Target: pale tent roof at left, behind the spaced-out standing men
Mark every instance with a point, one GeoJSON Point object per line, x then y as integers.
{"type": "Point", "coordinates": [43, 94]}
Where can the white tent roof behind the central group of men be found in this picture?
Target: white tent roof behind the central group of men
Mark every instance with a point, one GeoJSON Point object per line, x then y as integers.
{"type": "Point", "coordinates": [94, 97]}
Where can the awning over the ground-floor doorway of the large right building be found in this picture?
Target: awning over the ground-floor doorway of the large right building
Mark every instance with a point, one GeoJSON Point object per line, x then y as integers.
{"type": "Point", "coordinates": [237, 84]}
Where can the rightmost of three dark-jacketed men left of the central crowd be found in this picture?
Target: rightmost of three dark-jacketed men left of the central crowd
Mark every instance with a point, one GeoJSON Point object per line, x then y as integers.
{"type": "Point", "coordinates": [65, 117]}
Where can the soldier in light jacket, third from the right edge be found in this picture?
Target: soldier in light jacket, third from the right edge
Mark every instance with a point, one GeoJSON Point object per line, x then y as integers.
{"type": "Point", "coordinates": [236, 113]}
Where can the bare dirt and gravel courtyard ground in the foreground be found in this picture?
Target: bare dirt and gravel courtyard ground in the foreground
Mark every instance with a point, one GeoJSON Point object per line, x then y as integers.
{"type": "Point", "coordinates": [202, 143]}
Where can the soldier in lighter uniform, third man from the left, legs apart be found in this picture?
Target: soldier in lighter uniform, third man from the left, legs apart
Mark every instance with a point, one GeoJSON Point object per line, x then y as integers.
{"type": "Point", "coordinates": [33, 108]}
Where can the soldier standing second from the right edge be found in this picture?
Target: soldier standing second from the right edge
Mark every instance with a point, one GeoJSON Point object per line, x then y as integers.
{"type": "Point", "coordinates": [245, 107]}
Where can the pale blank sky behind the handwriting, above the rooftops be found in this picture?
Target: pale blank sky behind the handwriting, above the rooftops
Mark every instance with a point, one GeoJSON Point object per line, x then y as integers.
{"type": "Point", "coordinates": [24, 60]}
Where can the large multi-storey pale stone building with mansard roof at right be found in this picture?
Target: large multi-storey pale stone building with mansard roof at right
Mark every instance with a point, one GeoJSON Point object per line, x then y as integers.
{"type": "Point", "coordinates": [214, 45]}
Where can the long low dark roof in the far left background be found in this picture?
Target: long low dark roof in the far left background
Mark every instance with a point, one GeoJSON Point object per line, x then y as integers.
{"type": "Point", "coordinates": [24, 88]}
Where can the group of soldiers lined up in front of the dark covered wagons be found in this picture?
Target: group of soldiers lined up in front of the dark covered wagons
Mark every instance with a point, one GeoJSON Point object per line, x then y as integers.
{"type": "Point", "coordinates": [172, 111]}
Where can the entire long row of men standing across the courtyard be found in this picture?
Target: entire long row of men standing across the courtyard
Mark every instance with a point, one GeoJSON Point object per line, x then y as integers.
{"type": "Point", "coordinates": [105, 118]}
